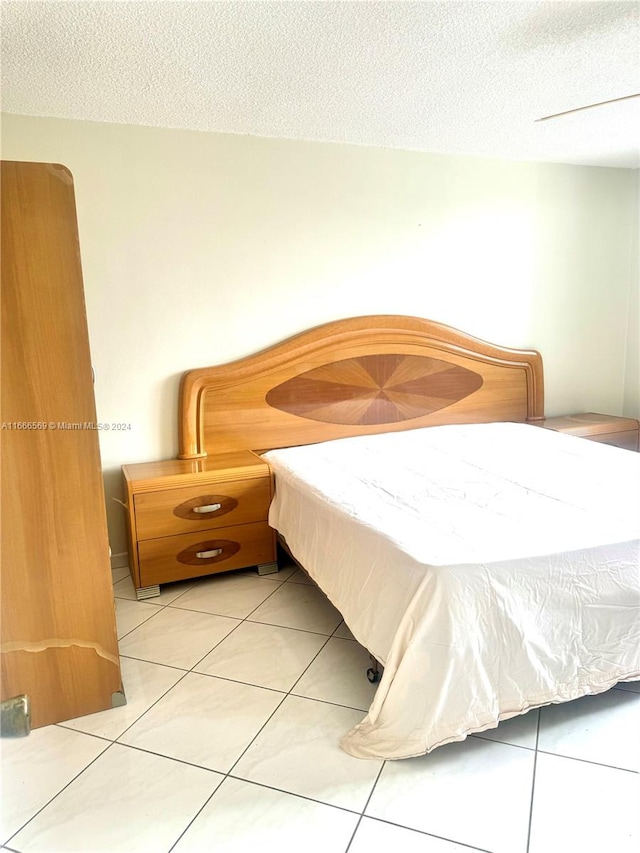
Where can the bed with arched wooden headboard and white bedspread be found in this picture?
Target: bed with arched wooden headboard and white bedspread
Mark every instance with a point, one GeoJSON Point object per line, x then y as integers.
{"type": "Point", "coordinates": [490, 566]}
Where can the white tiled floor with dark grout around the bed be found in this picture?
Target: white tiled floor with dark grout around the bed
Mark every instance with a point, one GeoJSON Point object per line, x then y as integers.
{"type": "Point", "coordinates": [239, 688]}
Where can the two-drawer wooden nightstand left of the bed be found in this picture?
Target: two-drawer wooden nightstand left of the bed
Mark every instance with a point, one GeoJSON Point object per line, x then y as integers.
{"type": "Point", "coordinates": [188, 518]}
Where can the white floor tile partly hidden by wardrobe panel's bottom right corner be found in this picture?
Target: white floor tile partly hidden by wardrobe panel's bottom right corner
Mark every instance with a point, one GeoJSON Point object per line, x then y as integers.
{"type": "Point", "coordinates": [144, 683]}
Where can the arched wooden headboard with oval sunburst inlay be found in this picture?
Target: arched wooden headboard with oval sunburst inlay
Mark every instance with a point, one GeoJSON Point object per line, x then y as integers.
{"type": "Point", "coordinates": [354, 377]}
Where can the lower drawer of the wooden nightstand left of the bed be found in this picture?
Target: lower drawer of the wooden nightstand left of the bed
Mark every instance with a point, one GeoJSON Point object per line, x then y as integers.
{"type": "Point", "coordinates": [173, 558]}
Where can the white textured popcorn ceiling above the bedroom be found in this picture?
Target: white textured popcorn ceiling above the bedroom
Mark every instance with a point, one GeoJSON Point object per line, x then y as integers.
{"type": "Point", "coordinates": [456, 77]}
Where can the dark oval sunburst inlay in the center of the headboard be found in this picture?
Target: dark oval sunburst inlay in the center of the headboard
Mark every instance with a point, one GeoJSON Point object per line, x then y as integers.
{"type": "Point", "coordinates": [374, 389]}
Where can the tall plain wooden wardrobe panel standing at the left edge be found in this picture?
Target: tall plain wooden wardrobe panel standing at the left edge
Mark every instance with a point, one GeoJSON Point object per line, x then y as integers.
{"type": "Point", "coordinates": [58, 631]}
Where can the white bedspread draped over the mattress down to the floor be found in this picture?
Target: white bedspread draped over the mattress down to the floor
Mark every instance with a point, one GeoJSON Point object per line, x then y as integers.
{"type": "Point", "coordinates": [491, 568]}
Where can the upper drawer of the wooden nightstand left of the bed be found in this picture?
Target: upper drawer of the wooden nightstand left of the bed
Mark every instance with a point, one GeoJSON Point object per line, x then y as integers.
{"type": "Point", "coordinates": [188, 510]}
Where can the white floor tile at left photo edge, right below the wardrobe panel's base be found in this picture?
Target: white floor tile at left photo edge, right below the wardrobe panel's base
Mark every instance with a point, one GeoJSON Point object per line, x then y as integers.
{"type": "Point", "coordinates": [35, 768]}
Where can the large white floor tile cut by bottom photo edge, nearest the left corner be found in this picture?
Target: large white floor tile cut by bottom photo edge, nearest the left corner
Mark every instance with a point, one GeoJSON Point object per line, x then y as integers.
{"type": "Point", "coordinates": [127, 800]}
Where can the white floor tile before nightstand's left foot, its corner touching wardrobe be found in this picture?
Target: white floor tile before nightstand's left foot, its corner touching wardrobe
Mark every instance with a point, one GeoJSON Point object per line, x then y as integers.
{"type": "Point", "coordinates": [176, 637]}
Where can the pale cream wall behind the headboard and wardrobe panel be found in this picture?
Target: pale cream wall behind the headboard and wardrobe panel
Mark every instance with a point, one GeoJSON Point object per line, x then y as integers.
{"type": "Point", "coordinates": [201, 248]}
